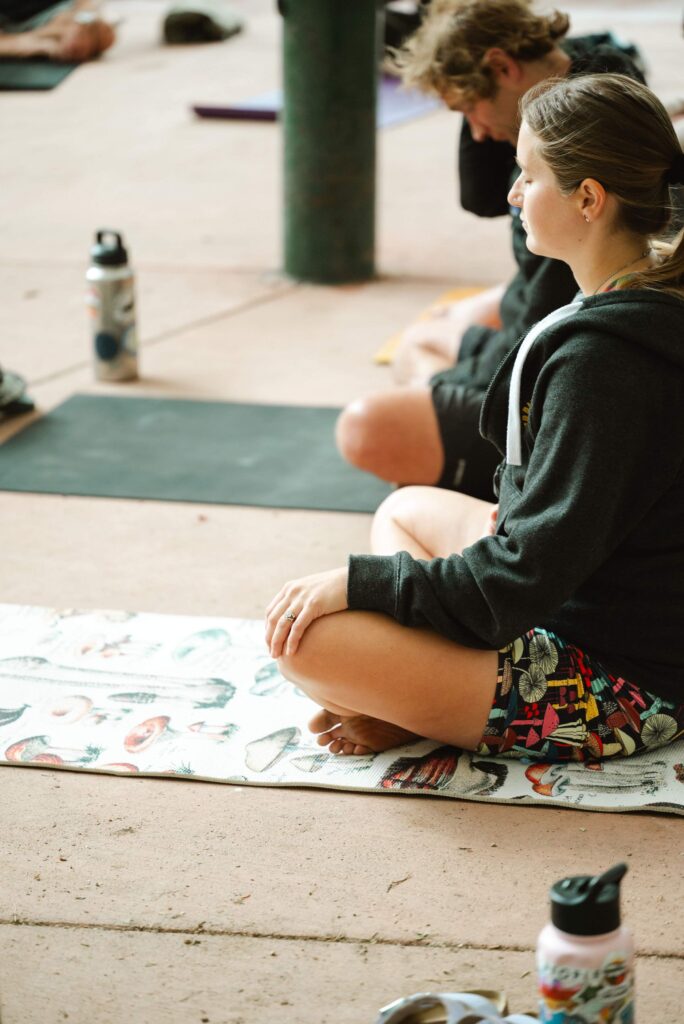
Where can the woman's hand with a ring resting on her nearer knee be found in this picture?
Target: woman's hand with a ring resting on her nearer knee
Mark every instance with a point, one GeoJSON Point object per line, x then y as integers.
{"type": "Point", "coordinates": [298, 604]}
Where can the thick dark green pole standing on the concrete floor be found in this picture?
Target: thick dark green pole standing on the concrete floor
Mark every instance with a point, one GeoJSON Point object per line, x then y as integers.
{"type": "Point", "coordinates": [331, 52]}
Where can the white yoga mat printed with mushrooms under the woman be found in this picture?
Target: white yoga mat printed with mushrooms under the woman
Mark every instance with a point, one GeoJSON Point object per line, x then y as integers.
{"type": "Point", "coordinates": [201, 699]}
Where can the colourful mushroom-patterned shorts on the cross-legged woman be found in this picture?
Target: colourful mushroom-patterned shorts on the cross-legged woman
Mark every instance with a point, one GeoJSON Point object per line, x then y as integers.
{"type": "Point", "coordinates": [554, 703]}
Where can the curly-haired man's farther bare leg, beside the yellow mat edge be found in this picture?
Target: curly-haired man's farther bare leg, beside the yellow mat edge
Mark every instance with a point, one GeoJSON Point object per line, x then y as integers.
{"type": "Point", "coordinates": [433, 345]}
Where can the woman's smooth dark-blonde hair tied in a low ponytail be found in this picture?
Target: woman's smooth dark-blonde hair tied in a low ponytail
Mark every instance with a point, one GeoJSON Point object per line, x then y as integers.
{"type": "Point", "coordinates": [616, 131]}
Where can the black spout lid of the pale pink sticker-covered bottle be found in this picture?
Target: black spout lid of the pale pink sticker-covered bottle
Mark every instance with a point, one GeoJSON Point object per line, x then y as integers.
{"type": "Point", "coordinates": [586, 906]}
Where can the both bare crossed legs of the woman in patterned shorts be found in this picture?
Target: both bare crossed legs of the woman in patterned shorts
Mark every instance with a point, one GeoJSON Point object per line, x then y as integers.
{"type": "Point", "coordinates": [382, 685]}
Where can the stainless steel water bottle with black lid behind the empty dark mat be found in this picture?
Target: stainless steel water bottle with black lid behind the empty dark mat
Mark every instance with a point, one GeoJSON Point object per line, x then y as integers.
{"type": "Point", "coordinates": [111, 301]}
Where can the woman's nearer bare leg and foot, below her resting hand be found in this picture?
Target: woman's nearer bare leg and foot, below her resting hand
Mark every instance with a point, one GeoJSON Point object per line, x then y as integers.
{"type": "Point", "coordinates": [386, 684]}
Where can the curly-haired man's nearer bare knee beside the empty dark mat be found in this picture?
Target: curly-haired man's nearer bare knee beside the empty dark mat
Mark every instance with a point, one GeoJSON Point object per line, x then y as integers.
{"type": "Point", "coordinates": [395, 435]}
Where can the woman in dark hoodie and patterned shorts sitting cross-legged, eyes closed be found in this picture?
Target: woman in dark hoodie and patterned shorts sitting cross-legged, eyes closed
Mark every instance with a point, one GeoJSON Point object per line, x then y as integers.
{"type": "Point", "coordinates": [554, 629]}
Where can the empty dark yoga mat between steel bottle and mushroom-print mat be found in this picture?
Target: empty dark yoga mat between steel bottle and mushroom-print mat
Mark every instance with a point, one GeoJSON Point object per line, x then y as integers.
{"type": "Point", "coordinates": [172, 450]}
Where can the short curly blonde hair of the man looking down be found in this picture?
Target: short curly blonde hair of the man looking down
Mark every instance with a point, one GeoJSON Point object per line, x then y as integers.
{"type": "Point", "coordinates": [449, 51]}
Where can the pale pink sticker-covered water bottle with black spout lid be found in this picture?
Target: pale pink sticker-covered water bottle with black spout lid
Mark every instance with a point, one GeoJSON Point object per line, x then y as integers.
{"type": "Point", "coordinates": [585, 958]}
